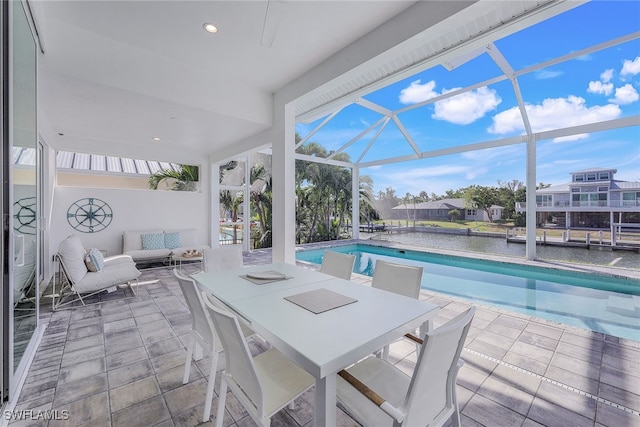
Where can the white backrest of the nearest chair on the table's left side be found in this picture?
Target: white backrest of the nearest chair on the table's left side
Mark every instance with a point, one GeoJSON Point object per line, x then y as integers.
{"type": "Point", "coordinates": [239, 362]}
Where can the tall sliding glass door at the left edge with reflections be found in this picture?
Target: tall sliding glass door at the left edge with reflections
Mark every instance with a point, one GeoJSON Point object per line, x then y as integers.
{"type": "Point", "coordinates": [20, 207]}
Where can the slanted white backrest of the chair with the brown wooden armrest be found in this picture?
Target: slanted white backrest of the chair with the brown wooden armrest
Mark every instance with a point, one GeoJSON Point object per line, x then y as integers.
{"type": "Point", "coordinates": [431, 392]}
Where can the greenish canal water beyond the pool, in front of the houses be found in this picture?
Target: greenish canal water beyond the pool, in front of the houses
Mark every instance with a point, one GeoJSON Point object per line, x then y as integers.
{"type": "Point", "coordinates": [500, 246]}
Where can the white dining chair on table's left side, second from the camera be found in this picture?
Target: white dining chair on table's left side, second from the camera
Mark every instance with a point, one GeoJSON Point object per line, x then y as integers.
{"type": "Point", "coordinates": [202, 337]}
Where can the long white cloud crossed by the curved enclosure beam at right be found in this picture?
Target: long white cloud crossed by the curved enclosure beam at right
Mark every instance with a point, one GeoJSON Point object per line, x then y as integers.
{"type": "Point", "coordinates": [553, 113]}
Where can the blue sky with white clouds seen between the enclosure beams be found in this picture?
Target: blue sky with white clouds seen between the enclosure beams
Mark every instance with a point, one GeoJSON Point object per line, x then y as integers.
{"type": "Point", "coordinates": [599, 86]}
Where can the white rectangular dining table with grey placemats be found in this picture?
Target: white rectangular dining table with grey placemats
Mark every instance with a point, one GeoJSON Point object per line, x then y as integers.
{"type": "Point", "coordinates": [324, 343]}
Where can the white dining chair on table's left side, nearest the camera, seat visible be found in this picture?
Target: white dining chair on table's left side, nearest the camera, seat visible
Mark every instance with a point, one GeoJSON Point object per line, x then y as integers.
{"type": "Point", "coordinates": [263, 384]}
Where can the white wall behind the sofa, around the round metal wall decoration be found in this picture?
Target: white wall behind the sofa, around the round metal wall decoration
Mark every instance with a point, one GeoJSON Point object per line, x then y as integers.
{"type": "Point", "coordinates": [132, 210]}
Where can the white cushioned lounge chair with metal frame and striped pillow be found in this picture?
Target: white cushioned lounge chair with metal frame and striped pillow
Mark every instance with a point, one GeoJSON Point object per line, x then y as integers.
{"type": "Point", "coordinates": [75, 279]}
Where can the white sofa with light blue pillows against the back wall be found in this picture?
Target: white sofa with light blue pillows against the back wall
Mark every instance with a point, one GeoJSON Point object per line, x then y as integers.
{"type": "Point", "coordinates": [152, 249]}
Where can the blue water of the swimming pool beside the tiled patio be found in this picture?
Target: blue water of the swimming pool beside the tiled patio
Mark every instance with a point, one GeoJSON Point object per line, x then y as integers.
{"type": "Point", "coordinates": [609, 305]}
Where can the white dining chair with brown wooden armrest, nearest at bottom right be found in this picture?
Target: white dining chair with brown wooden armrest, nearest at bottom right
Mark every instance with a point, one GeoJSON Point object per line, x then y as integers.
{"type": "Point", "coordinates": [376, 393]}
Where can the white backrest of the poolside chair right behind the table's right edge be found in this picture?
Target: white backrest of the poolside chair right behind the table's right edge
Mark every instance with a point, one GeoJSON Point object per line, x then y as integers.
{"type": "Point", "coordinates": [397, 278]}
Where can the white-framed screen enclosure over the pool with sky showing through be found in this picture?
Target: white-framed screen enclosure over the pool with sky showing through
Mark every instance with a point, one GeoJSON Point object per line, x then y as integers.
{"type": "Point", "coordinates": [487, 104]}
